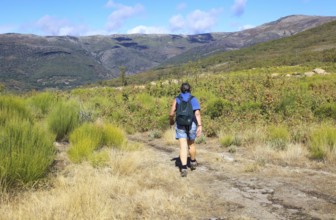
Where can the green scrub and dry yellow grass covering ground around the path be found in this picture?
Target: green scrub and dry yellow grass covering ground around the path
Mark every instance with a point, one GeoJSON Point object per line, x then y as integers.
{"type": "Point", "coordinates": [275, 112]}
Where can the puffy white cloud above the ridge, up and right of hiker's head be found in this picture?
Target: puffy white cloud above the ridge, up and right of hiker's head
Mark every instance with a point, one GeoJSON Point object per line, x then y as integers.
{"type": "Point", "coordinates": [196, 22]}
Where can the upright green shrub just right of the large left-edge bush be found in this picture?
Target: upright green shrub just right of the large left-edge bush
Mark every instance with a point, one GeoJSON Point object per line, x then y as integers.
{"type": "Point", "coordinates": [63, 119]}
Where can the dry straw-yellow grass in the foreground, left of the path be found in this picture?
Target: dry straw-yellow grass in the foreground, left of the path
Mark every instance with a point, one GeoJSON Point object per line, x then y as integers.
{"type": "Point", "coordinates": [134, 185]}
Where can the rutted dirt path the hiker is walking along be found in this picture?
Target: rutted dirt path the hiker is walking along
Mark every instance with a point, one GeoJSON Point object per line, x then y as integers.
{"type": "Point", "coordinates": [237, 188]}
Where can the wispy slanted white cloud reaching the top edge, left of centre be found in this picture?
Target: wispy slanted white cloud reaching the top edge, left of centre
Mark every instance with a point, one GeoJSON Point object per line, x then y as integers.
{"type": "Point", "coordinates": [123, 12]}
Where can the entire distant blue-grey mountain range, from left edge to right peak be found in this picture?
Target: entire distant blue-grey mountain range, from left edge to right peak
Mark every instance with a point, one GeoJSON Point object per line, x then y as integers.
{"type": "Point", "coordinates": [34, 62]}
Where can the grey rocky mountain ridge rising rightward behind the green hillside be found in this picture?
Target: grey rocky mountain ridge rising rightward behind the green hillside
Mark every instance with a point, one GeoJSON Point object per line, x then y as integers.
{"type": "Point", "coordinates": [283, 27]}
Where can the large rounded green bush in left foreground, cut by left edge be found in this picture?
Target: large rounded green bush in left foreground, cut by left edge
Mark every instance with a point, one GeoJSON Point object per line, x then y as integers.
{"type": "Point", "coordinates": [26, 152]}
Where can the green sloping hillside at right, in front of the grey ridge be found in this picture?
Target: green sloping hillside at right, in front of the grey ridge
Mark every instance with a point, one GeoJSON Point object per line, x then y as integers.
{"type": "Point", "coordinates": [310, 49]}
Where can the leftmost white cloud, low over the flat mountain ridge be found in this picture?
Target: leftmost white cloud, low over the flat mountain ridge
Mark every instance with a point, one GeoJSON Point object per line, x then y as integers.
{"type": "Point", "coordinates": [49, 25]}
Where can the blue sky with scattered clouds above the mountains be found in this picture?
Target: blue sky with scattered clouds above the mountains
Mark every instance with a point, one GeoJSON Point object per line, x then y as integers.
{"type": "Point", "coordinates": [90, 17]}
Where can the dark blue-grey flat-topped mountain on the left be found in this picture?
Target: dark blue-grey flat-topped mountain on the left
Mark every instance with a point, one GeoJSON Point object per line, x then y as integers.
{"type": "Point", "coordinates": [29, 61]}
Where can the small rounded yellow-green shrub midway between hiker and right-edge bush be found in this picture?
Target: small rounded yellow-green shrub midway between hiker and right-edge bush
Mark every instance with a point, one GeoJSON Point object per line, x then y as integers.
{"type": "Point", "coordinates": [278, 137]}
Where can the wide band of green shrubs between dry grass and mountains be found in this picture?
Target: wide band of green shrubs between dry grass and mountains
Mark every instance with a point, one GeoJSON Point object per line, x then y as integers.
{"type": "Point", "coordinates": [290, 110]}
